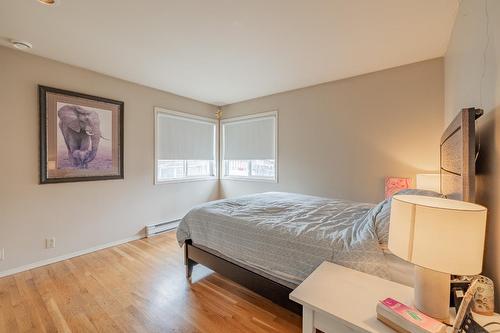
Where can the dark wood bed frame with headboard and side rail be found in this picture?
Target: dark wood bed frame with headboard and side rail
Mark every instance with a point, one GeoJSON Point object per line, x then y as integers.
{"type": "Point", "coordinates": [457, 150]}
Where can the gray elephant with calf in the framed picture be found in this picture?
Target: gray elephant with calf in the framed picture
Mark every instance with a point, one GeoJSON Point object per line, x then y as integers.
{"type": "Point", "coordinates": [82, 133]}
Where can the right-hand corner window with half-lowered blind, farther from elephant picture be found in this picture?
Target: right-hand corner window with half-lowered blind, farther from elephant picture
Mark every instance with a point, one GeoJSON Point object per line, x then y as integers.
{"type": "Point", "coordinates": [249, 147]}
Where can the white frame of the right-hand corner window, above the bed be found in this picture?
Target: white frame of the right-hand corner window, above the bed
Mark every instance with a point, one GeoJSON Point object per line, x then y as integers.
{"type": "Point", "coordinates": [273, 113]}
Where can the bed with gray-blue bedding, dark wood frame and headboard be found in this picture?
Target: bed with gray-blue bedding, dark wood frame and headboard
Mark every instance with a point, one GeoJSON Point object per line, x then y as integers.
{"type": "Point", "coordinates": [270, 242]}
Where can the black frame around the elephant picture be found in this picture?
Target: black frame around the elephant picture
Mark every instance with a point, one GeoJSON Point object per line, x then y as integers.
{"type": "Point", "coordinates": [44, 178]}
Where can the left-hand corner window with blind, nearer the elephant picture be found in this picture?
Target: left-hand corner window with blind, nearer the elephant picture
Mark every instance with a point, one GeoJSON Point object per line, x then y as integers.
{"type": "Point", "coordinates": [184, 146]}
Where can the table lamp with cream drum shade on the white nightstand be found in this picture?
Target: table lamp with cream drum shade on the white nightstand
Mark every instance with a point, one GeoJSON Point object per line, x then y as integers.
{"type": "Point", "coordinates": [441, 237]}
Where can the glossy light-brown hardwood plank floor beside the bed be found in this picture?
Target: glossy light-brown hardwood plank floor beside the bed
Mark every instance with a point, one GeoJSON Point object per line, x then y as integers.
{"type": "Point", "coordinates": [134, 287]}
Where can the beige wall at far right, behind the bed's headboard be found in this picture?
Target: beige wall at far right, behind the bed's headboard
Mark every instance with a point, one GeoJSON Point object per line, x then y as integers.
{"type": "Point", "coordinates": [472, 78]}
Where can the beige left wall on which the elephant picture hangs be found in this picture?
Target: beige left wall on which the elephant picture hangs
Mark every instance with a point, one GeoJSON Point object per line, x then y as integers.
{"type": "Point", "coordinates": [86, 214]}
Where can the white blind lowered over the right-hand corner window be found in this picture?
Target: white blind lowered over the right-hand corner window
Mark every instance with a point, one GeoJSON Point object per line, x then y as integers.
{"type": "Point", "coordinates": [250, 139]}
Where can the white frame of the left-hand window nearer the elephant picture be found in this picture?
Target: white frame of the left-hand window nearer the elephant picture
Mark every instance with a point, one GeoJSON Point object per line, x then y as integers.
{"type": "Point", "coordinates": [160, 110]}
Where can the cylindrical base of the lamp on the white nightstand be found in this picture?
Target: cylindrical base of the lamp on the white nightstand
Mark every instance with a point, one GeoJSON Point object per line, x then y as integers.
{"type": "Point", "coordinates": [432, 293]}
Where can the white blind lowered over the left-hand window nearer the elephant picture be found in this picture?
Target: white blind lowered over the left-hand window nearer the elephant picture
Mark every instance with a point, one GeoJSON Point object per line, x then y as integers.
{"type": "Point", "coordinates": [185, 138]}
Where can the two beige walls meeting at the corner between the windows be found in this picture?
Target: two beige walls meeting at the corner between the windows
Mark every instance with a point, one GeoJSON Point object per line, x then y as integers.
{"type": "Point", "coordinates": [338, 139]}
